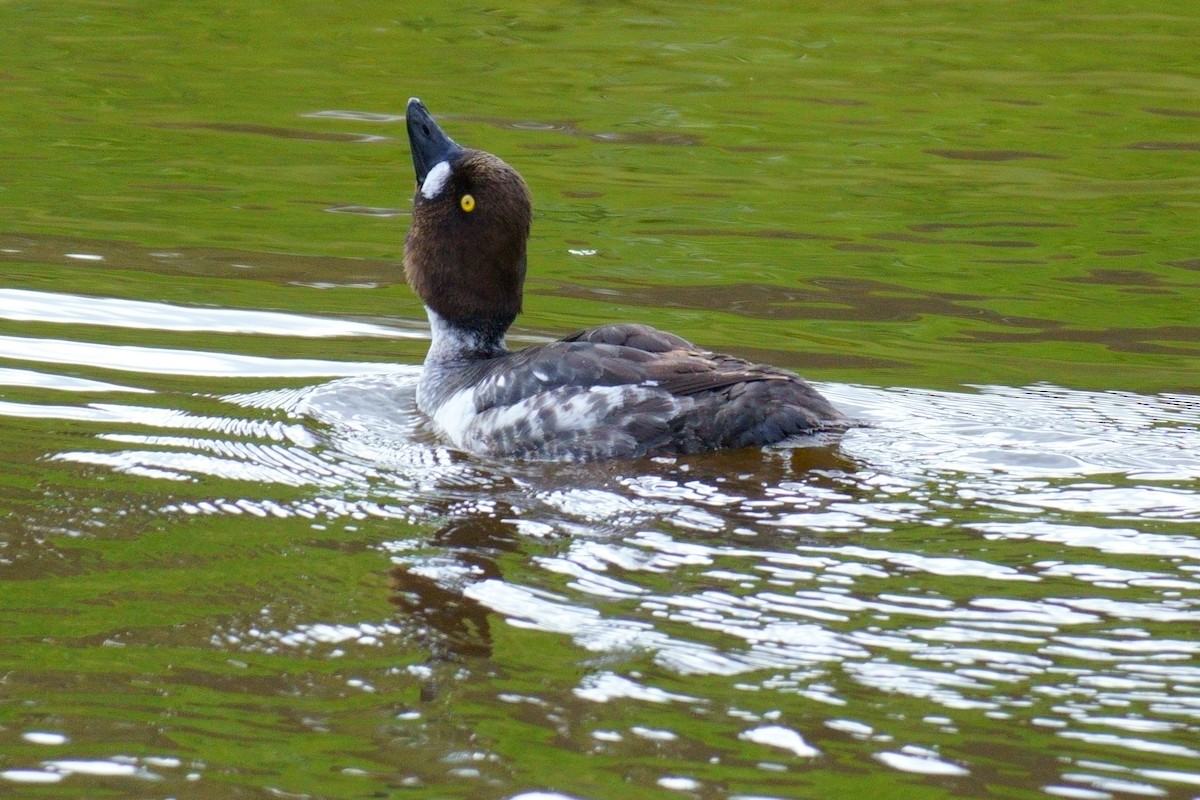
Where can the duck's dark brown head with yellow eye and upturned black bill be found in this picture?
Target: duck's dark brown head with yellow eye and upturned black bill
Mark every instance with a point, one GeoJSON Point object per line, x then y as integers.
{"type": "Point", "coordinates": [465, 255]}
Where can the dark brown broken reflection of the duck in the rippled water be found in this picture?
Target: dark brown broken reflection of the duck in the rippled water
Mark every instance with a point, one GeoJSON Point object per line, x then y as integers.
{"type": "Point", "coordinates": [431, 590]}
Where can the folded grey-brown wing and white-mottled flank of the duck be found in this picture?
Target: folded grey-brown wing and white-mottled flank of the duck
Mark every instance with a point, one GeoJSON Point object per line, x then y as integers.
{"type": "Point", "coordinates": [675, 398]}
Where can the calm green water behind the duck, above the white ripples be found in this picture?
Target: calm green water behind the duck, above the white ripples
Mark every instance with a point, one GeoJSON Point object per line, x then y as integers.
{"type": "Point", "coordinates": [1022, 183]}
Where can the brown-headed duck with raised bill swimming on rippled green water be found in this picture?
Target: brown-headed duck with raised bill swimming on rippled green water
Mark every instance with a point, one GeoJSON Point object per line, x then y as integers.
{"type": "Point", "coordinates": [616, 392]}
